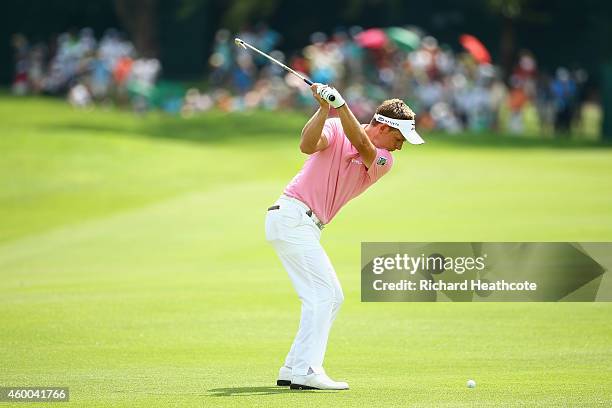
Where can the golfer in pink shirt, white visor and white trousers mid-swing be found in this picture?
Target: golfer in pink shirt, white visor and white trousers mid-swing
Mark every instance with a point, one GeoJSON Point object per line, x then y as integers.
{"type": "Point", "coordinates": [345, 158]}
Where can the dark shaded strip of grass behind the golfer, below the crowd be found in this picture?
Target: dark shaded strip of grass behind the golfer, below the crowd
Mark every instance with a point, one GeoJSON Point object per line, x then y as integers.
{"type": "Point", "coordinates": [216, 127]}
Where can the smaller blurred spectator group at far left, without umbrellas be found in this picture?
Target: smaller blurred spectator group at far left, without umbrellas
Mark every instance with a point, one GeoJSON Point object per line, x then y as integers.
{"type": "Point", "coordinates": [85, 69]}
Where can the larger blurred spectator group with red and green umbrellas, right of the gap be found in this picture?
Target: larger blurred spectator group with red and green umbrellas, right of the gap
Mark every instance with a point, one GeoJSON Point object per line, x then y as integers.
{"type": "Point", "coordinates": [449, 90]}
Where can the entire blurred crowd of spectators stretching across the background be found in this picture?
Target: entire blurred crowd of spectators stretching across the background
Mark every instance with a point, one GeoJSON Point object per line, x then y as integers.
{"type": "Point", "coordinates": [450, 89]}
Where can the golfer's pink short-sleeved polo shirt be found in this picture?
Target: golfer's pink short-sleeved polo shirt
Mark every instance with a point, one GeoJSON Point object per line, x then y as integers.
{"type": "Point", "coordinates": [333, 176]}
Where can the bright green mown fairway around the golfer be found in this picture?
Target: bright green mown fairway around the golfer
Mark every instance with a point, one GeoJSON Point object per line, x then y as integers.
{"type": "Point", "coordinates": [135, 271]}
